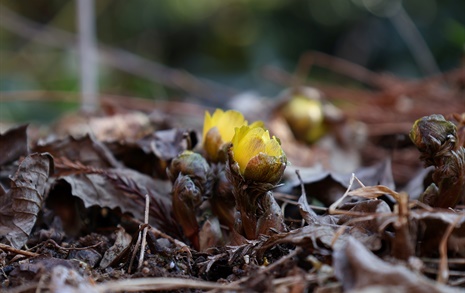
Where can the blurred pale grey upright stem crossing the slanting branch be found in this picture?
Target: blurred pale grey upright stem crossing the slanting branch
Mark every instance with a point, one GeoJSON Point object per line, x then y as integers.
{"type": "Point", "coordinates": [88, 57]}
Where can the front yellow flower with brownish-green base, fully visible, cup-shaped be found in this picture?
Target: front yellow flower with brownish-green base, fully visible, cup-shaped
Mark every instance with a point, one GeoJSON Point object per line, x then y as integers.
{"type": "Point", "coordinates": [260, 158]}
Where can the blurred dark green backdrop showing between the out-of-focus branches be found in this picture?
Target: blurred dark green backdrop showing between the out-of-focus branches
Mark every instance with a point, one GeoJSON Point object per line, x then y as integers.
{"type": "Point", "coordinates": [228, 42]}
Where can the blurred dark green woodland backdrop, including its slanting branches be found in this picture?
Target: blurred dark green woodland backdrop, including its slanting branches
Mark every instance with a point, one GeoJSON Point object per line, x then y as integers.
{"type": "Point", "coordinates": [207, 51]}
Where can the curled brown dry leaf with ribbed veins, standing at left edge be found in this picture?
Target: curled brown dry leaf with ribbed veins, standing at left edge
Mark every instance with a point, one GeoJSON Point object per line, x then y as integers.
{"type": "Point", "coordinates": [21, 204]}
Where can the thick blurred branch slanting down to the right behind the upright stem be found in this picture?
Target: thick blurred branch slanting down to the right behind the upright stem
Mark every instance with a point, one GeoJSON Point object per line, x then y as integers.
{"type": "Point", "coordinates": [126, 61]}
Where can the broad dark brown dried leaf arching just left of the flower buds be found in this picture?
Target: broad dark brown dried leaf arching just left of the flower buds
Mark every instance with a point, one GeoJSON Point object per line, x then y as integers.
{"type": "Point", "coordinates": [121, 188]}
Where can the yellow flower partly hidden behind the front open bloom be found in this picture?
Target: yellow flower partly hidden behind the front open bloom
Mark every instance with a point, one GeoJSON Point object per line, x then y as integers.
{"type": "Point", "coordinates": [218, 129]}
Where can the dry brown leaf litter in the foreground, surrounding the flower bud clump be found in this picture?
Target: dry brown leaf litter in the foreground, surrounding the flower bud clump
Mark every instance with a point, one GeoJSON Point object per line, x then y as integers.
{"type": "Point", "coordinates": [73, 214]}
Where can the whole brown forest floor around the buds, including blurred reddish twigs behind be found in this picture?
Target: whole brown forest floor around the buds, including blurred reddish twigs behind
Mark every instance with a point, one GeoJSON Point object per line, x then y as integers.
{"type": "Point", "coordinates": [84, 212]}
